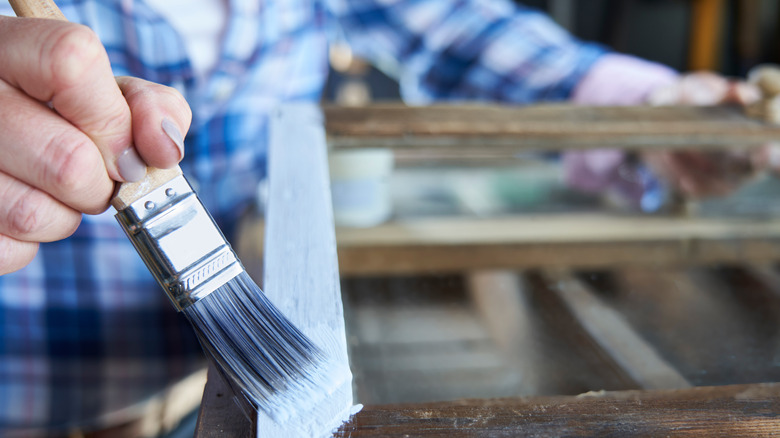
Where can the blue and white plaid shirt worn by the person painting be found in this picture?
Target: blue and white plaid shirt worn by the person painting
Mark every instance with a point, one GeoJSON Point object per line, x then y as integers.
{"type": "Point", "coordinates": [85, 329]}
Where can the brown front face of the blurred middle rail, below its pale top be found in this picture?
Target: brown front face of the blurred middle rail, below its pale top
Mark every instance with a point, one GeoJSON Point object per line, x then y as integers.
{"type": "Point", "coordinates": [410, 259]}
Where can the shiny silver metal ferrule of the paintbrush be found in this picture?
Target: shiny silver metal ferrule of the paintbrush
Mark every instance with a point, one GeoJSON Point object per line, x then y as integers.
{"type": "Point", "coordinates": [179, 242]}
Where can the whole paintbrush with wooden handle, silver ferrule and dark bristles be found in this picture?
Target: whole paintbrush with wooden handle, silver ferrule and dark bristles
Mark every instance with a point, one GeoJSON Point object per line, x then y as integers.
{"type": "Point", "coordinates": [265, 358]}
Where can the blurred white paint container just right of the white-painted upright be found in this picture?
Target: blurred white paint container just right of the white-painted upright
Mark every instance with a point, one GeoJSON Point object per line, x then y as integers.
{"type": "Point", "coordinates": [360, 186]}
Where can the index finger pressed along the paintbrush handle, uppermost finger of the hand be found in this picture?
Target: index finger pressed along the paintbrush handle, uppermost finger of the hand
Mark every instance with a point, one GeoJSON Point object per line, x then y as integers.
{"type": "Point", "coordinates": [65, 65]}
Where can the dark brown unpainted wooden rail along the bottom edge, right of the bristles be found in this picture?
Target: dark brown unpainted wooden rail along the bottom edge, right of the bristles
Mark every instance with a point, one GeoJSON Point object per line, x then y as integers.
{"type": "Point", "coordinates": [734, 411]}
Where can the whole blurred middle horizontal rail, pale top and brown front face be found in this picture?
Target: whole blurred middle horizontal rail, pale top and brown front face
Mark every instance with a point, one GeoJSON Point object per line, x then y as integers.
{"type": "Point", "coordinates": [584, 240]}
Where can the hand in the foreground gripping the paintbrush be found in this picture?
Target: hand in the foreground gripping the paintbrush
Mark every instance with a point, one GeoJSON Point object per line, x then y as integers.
{"type": "Point", "coordinates": [55, 165]}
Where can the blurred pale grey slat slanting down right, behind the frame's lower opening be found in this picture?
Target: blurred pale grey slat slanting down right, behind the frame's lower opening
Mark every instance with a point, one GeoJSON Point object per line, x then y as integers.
{"type": "Point", "coordinates": [612, 333]}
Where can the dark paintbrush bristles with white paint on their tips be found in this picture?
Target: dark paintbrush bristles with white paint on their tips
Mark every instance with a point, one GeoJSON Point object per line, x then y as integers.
{"type": "Point", "coordinates": [277, 368]}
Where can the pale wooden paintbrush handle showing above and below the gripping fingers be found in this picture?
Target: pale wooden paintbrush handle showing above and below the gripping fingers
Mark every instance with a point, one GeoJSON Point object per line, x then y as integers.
{"type": "Point", "coordinates": [126, 193]}
